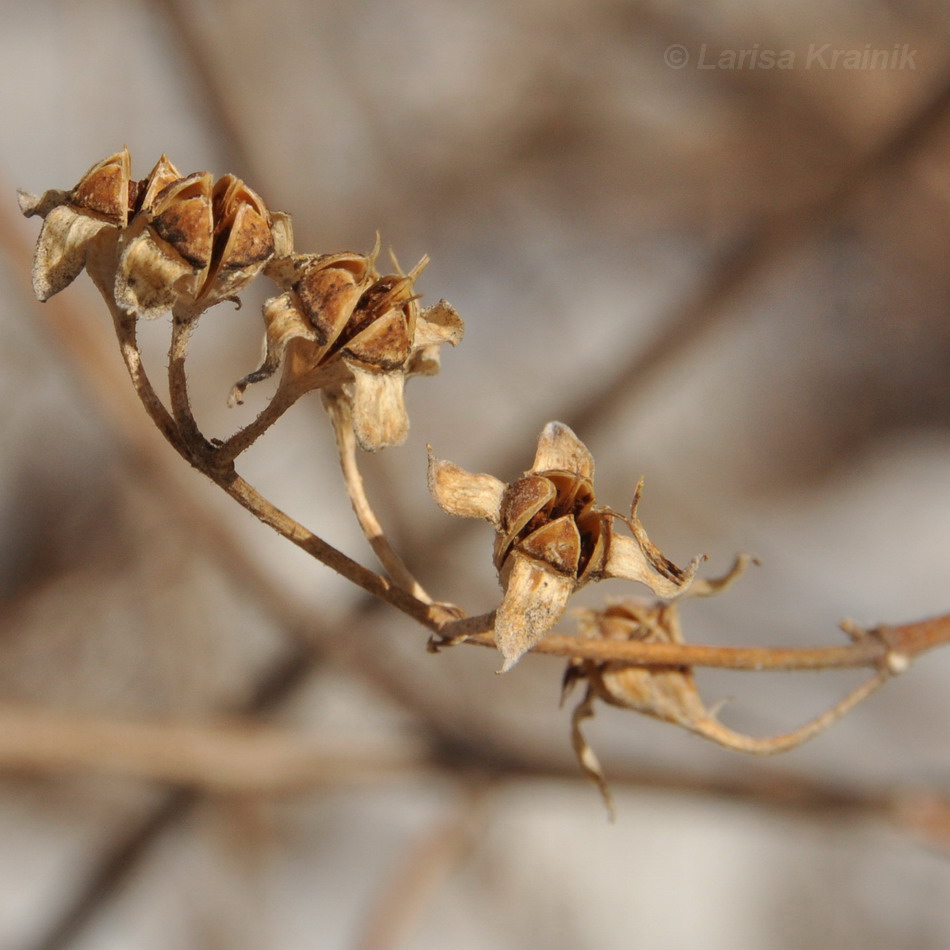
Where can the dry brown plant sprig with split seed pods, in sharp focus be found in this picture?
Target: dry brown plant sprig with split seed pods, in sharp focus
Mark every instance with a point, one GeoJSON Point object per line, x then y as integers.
{"type": "Point", "coordinates": [180, 244]}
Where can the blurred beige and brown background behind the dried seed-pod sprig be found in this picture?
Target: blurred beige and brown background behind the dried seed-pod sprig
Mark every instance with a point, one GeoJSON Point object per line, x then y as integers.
{"type": "Point", "coordinates": [729, 278]}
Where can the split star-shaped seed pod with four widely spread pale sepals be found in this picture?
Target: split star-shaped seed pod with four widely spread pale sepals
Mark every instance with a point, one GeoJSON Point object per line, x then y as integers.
{"type": "Point", "coordinates": [551, 538]}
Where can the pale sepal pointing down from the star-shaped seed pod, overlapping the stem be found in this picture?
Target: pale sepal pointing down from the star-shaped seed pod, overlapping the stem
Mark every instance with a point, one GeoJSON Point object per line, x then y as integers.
{"type": "Point", "coordinates": [535, 599]}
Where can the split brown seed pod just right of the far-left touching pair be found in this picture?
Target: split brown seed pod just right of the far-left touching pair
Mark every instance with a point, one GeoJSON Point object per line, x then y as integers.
{"type": "Point", "coordinates": [341, 328]}
